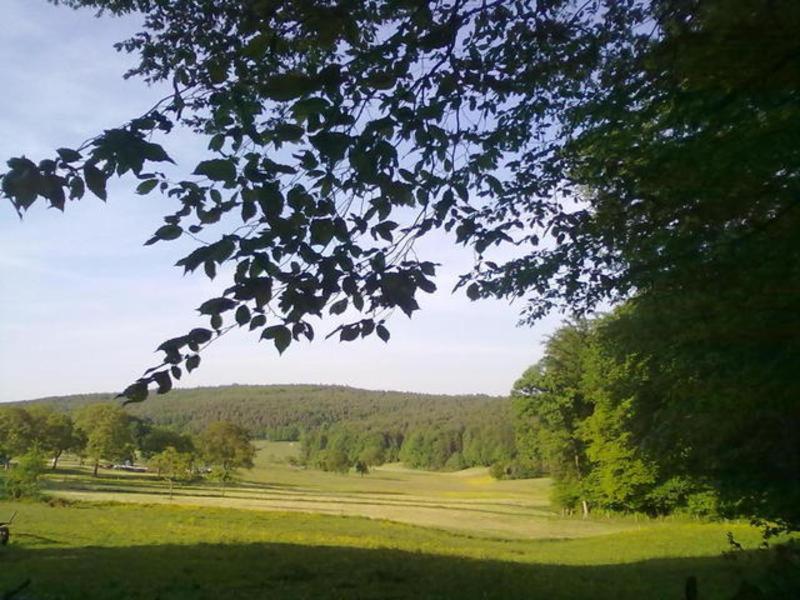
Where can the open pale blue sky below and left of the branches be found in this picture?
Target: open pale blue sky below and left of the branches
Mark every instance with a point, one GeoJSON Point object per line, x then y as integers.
{"type": "Point", "coordinates": [84, 304]}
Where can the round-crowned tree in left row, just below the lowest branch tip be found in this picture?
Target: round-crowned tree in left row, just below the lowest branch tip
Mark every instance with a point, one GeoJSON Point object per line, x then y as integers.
{"type": "Point", "coordinates": [106, 429]}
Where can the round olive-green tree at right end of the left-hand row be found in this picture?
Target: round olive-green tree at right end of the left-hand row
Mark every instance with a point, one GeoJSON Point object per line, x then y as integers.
{"type": "Point", "coordinates": [226, 447]}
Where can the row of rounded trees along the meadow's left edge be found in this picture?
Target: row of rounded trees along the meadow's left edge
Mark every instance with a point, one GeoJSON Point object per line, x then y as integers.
{"type": "Point", "coordinates": [105, 434]}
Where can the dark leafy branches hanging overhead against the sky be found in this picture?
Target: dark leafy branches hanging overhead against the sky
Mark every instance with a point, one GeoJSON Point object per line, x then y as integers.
{"type": "Point", "coordinates": [340, 133]}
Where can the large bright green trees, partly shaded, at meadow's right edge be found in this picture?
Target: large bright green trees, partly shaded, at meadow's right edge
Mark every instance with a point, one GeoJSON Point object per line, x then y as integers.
{"type": "Point", "coordinates": [652, 409]}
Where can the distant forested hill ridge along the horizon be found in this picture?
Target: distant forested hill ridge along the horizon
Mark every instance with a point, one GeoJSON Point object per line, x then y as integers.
{"type": "Point", "coordinates": [282, 411]}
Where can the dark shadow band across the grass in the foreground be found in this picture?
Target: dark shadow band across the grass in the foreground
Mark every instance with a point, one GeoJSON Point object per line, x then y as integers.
{"type": "Point", "coordinates": [286, 571]}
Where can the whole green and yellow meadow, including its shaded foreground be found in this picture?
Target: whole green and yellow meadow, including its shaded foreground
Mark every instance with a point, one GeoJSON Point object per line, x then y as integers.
{"type": "Point", "coordinates": [285, 532]}
